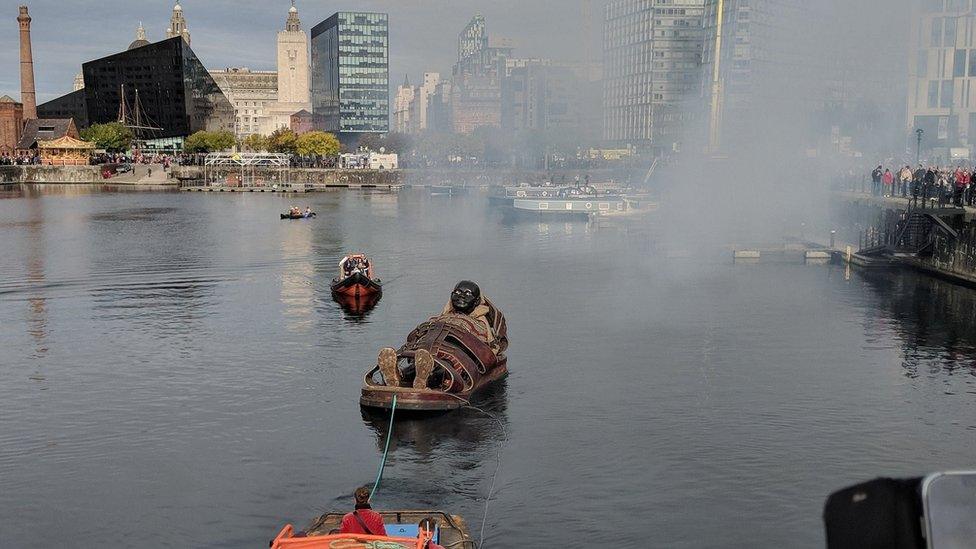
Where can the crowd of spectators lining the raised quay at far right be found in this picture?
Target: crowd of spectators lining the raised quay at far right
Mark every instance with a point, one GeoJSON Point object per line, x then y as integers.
{"type": "Point", "coordinates": [942, 184]}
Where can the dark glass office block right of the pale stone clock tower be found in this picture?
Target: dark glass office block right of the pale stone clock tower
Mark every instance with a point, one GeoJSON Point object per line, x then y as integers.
{"type": "Point", "coordinates": [351, 73]}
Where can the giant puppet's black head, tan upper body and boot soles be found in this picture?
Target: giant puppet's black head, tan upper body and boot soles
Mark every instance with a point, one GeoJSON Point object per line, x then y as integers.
{"type": "Point", "coordinates": [466, 309]}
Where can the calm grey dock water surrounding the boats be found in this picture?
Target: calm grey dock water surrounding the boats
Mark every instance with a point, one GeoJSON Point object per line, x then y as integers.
{"type": "Point", "coordinates": [174, 370]}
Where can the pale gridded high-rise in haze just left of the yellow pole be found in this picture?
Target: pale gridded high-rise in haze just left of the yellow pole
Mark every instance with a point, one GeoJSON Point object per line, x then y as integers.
{"type": "Point", "coordinates": [652, 65]}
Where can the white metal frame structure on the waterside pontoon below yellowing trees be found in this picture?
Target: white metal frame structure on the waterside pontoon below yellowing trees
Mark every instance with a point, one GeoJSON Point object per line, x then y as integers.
{"type": "Point", "coordinates": [246, 169]}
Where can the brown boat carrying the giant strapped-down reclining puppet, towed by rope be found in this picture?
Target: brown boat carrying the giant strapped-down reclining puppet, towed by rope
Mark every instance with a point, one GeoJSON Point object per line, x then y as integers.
{"type": "Point", "coordinates": [445, 360]}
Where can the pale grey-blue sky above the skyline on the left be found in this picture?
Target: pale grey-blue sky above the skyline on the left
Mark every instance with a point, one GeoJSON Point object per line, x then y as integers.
{"type": "Point", "coordinates": [423, 33]}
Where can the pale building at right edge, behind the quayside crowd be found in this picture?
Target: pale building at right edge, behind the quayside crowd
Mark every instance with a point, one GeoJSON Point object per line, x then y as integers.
{"type": "Point", "coordinates": [942, 66]}
